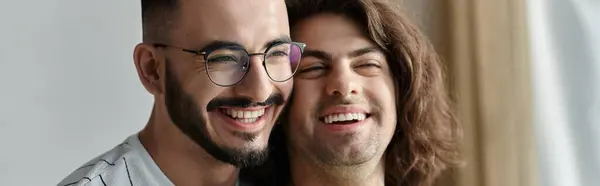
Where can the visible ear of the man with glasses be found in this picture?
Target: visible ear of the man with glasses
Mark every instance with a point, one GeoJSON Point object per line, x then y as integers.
{"type": "Point", "coordinates": [147, 64]}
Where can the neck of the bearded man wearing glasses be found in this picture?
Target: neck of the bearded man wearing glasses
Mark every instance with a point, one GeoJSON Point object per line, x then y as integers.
{"type": "Point", "coordinates": [180, 159]}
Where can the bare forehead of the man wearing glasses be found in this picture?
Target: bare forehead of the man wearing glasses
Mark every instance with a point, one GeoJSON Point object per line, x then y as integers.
{"type": "Point", "coordinates": [250, 23]}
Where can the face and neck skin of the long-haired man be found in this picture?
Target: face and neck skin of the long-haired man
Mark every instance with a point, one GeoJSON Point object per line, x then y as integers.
{"type": "Point", "coordinates": [341, 68]}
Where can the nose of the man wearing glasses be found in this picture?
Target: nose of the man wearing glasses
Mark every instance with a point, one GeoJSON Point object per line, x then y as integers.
{"type": "Point", "coordinates": [256, 85]}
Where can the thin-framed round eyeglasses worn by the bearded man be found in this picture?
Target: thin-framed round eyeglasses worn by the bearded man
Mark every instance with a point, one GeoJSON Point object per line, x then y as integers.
{"type": "Point", "coordinates": [228, 64]}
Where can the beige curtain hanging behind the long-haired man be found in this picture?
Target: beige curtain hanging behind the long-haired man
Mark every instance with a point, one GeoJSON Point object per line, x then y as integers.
{"type": "Point", "coordinates": [483, 43]}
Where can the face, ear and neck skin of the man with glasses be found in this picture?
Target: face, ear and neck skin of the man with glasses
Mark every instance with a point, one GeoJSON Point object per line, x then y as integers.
{"type": "Point", "coordinates": [183, 136]}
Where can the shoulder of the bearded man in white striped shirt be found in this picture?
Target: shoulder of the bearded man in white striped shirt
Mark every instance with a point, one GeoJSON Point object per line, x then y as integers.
{"type": "Point", "coordinates": [110, 168]}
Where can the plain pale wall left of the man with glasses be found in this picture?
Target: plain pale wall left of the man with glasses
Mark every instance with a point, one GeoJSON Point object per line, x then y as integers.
{"type": "Point", "coordinates": [68, 86]}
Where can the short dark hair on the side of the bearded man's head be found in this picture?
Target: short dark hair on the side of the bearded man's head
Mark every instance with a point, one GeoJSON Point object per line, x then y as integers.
{"type": "Point", "coordinates": [158, 19]}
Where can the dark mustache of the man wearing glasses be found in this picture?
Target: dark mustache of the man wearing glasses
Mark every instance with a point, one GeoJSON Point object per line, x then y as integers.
{"type": "Point", "coordinates": [274, 99]}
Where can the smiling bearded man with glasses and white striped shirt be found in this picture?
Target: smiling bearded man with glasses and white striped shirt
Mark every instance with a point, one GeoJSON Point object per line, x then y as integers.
{"type": "Point", "coordinates": [220, 74]}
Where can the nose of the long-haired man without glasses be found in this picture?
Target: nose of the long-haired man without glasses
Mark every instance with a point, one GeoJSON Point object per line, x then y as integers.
{"type": "Point", "coordinates": [342, 82]}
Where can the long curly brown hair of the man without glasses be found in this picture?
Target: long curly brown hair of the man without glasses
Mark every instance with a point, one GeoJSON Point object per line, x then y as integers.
{"type": "Point", "coordinates": [426, 140]}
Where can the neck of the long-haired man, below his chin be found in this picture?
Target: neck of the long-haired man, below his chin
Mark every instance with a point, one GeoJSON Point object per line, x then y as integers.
{"type": "Point", "coordinates": [306, 171]}
